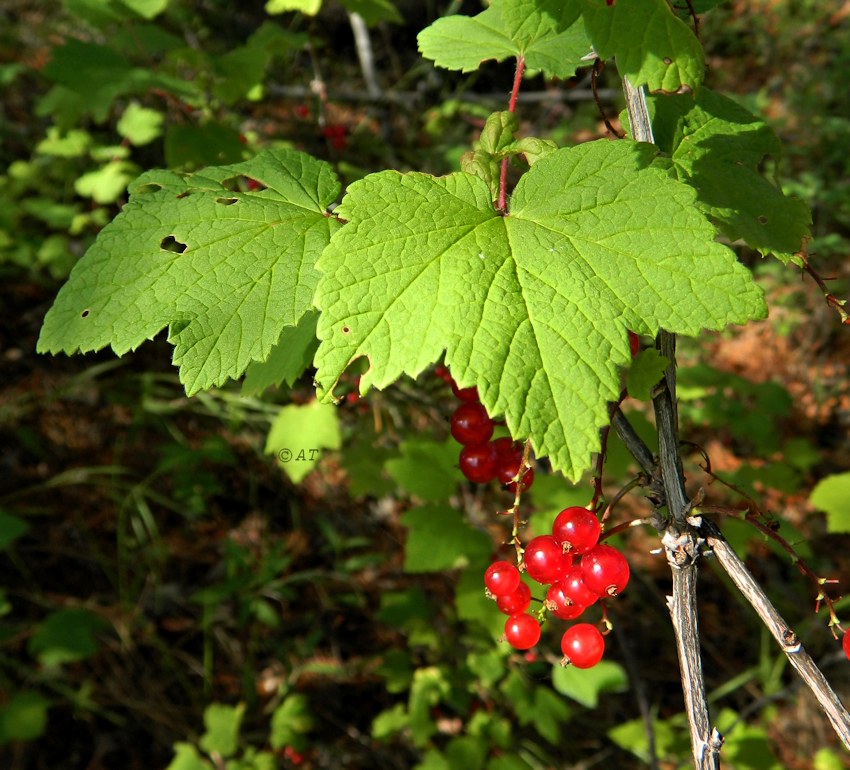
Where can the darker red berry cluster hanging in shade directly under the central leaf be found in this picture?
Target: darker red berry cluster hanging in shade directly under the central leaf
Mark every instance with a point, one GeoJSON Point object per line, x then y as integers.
{"type": "Point", "coordinates": [483, 458]}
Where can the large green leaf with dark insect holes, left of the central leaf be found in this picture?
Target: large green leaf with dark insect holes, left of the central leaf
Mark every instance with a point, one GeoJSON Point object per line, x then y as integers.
{"type": "Point", "coordinates": [225, 268]}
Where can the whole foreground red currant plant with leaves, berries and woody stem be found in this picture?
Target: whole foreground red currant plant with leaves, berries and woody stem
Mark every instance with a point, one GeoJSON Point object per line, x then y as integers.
{"type": "Point", "coordinates": [527, 294]}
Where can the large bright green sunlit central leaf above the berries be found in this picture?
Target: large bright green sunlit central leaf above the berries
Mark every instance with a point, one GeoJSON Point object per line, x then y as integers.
{"type": "Point", "coordinates": [534, 307]}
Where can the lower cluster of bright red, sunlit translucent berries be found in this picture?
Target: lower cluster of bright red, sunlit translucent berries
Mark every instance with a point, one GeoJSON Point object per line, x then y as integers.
{"type": "Point", "coordinates": [577, 571]}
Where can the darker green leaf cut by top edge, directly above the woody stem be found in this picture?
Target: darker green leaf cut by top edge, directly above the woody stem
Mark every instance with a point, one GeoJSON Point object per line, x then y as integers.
{"type": "Point", "coordinates": [650, 44]}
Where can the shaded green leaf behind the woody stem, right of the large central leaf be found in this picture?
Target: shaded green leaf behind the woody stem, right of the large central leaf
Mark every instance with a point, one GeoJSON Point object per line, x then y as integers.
{"type": "Point", "coordinates": [717, 146]}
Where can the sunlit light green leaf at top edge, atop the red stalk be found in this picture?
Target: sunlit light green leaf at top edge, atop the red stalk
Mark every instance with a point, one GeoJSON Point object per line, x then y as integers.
{"type": "Point", "coordinates": [550, 35]}
